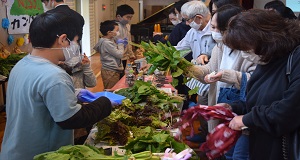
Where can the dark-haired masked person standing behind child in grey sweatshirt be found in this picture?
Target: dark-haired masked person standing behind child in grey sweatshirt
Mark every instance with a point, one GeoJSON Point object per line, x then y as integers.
{"type": "Point", "coordinates": [124, 15]}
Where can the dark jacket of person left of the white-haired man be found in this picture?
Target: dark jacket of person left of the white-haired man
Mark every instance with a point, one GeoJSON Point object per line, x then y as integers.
{"type": "Point", "coordinates": [177, 34]}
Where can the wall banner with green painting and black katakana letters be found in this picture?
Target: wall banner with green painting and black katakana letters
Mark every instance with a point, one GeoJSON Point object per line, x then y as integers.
{"type": "Point", "coordinates": [21, 13]}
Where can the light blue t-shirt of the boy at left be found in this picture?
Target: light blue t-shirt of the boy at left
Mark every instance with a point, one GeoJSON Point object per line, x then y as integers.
{"type": "Point", "coordinates": [39, 94]}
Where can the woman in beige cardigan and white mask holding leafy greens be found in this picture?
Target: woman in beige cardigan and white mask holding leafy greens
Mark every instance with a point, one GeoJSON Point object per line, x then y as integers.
{"type": "Point", "coordinates": [228, 65]}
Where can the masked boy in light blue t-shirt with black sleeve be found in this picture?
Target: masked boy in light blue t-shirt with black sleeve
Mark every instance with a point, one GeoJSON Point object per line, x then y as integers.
{"type": "Point", "coordinates": [45, 112]}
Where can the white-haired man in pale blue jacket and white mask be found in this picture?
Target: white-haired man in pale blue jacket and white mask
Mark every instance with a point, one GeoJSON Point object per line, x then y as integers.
{"type": "Point", "coordinates": [198, 39]}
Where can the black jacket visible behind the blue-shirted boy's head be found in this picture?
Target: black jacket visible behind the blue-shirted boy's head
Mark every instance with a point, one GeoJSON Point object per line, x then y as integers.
{"type": "Point", "coordinates": [67, 10]}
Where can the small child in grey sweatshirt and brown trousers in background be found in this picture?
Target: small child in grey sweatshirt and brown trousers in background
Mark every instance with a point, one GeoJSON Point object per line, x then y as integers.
{"type": "Point", "coordinates": [111, 53]}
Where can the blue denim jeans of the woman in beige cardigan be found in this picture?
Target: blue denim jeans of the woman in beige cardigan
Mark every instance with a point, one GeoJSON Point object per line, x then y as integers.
{"type": "Point", "coordinates": [240, 151]}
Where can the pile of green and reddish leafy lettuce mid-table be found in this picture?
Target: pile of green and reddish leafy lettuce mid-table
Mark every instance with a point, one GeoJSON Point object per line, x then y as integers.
{"type": "Point", "coordinates": [145, 106]}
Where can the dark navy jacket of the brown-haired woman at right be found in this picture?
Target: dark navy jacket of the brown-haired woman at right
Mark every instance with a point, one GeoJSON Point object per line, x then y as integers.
{"type": "Point", "coordinates": [272, 106]}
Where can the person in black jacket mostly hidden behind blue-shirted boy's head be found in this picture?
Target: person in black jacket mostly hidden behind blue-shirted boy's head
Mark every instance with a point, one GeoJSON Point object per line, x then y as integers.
{"type": "Point", "coordinates": [62, 7]}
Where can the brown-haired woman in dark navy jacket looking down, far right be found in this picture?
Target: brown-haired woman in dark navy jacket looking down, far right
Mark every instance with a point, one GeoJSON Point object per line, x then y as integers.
{"type": "Point", "coordinates": [272, 106]}
